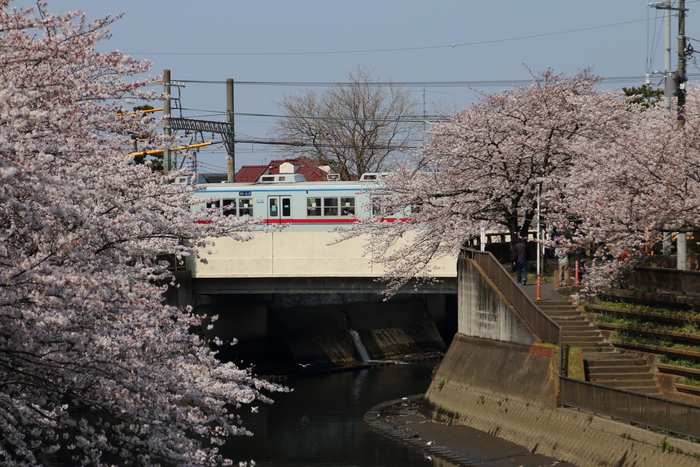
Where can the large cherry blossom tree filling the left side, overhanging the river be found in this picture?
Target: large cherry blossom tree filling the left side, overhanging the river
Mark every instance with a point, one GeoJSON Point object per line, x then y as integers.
{"type": "Point", "coordinates": [94, 369]}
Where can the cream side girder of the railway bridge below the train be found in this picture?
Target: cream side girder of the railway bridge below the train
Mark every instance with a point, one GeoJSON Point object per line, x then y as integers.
{"type": "Point", "coordinates": [300, 262]}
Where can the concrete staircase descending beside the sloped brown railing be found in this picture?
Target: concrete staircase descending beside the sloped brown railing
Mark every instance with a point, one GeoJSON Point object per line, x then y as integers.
{"type": "Point", "coordinates": [603, 363]}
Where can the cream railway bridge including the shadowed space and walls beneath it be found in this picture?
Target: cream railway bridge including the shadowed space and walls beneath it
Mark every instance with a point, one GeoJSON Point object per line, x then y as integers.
{"type": "Point", "coordinates": [298, 294]}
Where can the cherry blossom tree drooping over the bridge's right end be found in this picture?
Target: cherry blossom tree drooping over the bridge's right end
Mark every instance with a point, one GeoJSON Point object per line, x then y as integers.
{"type": "Point", "coordinates": [483, 166]}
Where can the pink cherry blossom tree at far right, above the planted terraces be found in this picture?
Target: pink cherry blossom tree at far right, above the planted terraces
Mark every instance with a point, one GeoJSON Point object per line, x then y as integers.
{"type": "Point", "coordinates": [625, 192]}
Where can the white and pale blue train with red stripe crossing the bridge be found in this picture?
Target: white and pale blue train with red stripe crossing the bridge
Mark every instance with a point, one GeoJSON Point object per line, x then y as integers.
{"type": "Point", "coordinates": [289, 199]}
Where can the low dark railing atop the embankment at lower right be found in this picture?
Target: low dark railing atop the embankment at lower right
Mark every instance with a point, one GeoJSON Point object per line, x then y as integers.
{"type": "Point", "coordinates": [644, 409]}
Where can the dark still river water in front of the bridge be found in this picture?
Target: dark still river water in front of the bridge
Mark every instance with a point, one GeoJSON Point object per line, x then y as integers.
{"type": "Point", "coordinates": [320, 422]}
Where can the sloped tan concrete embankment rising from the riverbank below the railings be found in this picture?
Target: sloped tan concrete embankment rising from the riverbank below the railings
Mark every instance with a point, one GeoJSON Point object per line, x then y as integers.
{"type": "Point", "coordinates": [507, 390]}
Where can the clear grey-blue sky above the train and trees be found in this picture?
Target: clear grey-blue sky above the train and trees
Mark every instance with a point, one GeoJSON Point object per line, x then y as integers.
{"type": "Point", "coordinates": [304, 42]}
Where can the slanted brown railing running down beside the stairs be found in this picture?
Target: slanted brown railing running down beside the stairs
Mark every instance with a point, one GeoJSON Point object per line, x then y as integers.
{"type": "Point", "coordinates": [544, 326]}
